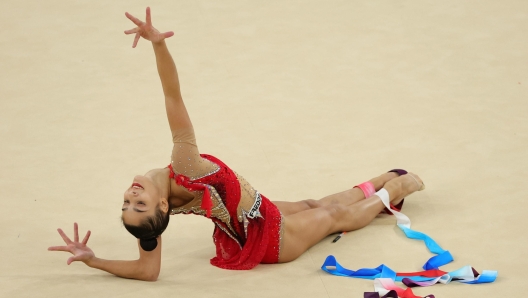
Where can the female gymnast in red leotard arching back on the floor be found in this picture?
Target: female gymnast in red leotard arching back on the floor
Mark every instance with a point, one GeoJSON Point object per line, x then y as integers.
{"type": "Point", "coordinates": [249, 228]}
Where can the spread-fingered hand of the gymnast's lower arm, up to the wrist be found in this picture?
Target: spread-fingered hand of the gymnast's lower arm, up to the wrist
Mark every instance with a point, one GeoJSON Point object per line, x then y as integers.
{"type": "Point", "coordinates": [80, 251]}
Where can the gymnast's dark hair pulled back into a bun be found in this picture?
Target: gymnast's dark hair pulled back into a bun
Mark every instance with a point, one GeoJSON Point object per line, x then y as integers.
{"type": "Point", "coordinates": [150, 229]}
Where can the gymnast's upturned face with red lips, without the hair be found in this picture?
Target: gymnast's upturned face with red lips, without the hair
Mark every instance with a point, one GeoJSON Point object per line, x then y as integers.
{"type": "Point", "coordinates": [140, 200]}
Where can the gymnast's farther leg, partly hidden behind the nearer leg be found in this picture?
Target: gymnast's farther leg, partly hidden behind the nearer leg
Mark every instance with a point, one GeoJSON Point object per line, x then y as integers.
{"type": "Point", "coordinates": [346, 197]}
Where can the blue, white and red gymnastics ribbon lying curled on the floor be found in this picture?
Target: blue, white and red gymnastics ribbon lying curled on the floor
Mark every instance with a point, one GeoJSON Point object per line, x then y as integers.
{"type": "Point", "coordinates": [384, 277]}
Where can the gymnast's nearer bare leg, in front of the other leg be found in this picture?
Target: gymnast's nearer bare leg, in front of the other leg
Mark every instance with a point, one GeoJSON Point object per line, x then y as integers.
{"type": "Point", "coordinates": [304, 229]}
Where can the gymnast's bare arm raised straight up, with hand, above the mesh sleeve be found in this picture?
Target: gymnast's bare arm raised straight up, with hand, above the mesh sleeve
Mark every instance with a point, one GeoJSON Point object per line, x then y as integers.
{"type": "Point", "coordinates": [176, 111]}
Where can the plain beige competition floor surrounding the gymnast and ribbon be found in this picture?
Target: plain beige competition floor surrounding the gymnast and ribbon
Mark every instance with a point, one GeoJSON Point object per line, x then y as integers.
{"type": "Point", "coordinates": [303, 98]}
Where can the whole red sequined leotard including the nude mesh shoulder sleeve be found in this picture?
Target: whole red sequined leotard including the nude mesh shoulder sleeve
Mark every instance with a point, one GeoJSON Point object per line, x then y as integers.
{"type": "Point", "coordinates": [248, 226]}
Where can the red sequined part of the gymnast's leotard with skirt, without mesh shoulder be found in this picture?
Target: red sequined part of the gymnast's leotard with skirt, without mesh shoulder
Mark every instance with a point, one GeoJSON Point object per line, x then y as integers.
{"type": "Point", "coordinates": [242, 240]}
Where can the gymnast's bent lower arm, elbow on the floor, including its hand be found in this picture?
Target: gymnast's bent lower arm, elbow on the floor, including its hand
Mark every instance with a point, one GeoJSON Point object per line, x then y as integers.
{"type": "Point", "coordinates": [147, 267]}
